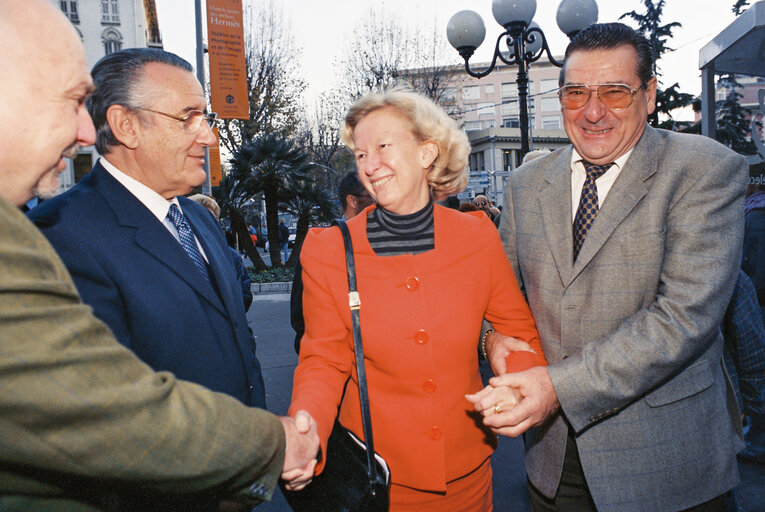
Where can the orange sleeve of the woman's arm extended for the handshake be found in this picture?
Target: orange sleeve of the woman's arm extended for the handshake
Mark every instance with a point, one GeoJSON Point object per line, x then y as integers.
{"type": "Point", "coordinates": [326, 349]}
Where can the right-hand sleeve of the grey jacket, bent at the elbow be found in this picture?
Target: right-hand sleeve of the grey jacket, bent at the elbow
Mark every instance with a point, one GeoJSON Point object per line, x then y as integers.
{"type": "Point", "coordinates": [703, 231]}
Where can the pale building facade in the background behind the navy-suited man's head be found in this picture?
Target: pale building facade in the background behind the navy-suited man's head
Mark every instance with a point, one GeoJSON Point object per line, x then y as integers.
{"type": "Point", "coordinates": [106, 26]}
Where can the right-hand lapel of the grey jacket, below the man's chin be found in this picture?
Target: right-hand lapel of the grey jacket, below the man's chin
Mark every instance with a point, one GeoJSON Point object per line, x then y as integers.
{"type": "Point", "coordinates": [627, 191]}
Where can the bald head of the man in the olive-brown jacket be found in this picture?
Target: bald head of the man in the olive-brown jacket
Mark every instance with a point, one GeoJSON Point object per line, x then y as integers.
{"type": "Point", "coordinates": [43, 87]}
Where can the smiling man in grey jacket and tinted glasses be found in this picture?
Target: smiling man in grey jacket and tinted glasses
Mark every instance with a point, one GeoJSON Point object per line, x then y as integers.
{"type": "Point", "coordinates": [627, 245]}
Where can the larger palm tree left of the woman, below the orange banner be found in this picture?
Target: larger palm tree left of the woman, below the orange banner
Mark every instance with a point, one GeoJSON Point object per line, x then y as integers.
{"type": "Point", "coordinates": [272, 164]}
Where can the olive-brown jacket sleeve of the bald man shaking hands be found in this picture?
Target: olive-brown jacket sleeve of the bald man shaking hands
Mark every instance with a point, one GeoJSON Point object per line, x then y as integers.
{"type": "Point", "coordinates": [85, 409]}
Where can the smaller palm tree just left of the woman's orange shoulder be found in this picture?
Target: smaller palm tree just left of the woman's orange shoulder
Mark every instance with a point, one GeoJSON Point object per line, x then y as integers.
{"type": "Point", "coordinates": [311, 204]}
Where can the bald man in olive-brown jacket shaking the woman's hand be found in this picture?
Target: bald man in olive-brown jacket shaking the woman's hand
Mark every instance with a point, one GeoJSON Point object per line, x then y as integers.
{"type": "Point", "coordinates": [86, 426]}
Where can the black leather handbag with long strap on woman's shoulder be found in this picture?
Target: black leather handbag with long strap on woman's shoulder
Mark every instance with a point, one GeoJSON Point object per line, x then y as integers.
{"type": "Point", "coordinates": [355, 478]}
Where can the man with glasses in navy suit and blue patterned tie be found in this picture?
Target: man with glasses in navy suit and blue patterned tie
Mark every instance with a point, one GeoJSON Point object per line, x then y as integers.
{"type": "Point", "coordinates": [153, 265]}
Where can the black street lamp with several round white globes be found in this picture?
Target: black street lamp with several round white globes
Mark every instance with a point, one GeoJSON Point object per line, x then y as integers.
{"type": "Point", "coordinates": [524, 39]}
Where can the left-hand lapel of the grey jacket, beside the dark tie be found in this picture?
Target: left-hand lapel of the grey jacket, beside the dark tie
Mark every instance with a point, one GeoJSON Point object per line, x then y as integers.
{"type": "Point", "coordinates": [555, 205]}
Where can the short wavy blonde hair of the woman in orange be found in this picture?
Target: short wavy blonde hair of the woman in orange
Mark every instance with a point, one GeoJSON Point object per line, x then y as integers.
{"type": "Point", "coordinates": [448, 174]}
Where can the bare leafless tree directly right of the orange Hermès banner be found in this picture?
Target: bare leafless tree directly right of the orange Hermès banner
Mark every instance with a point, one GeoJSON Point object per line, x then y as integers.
{"type": "Point", "coordinates": [273, 85]}
